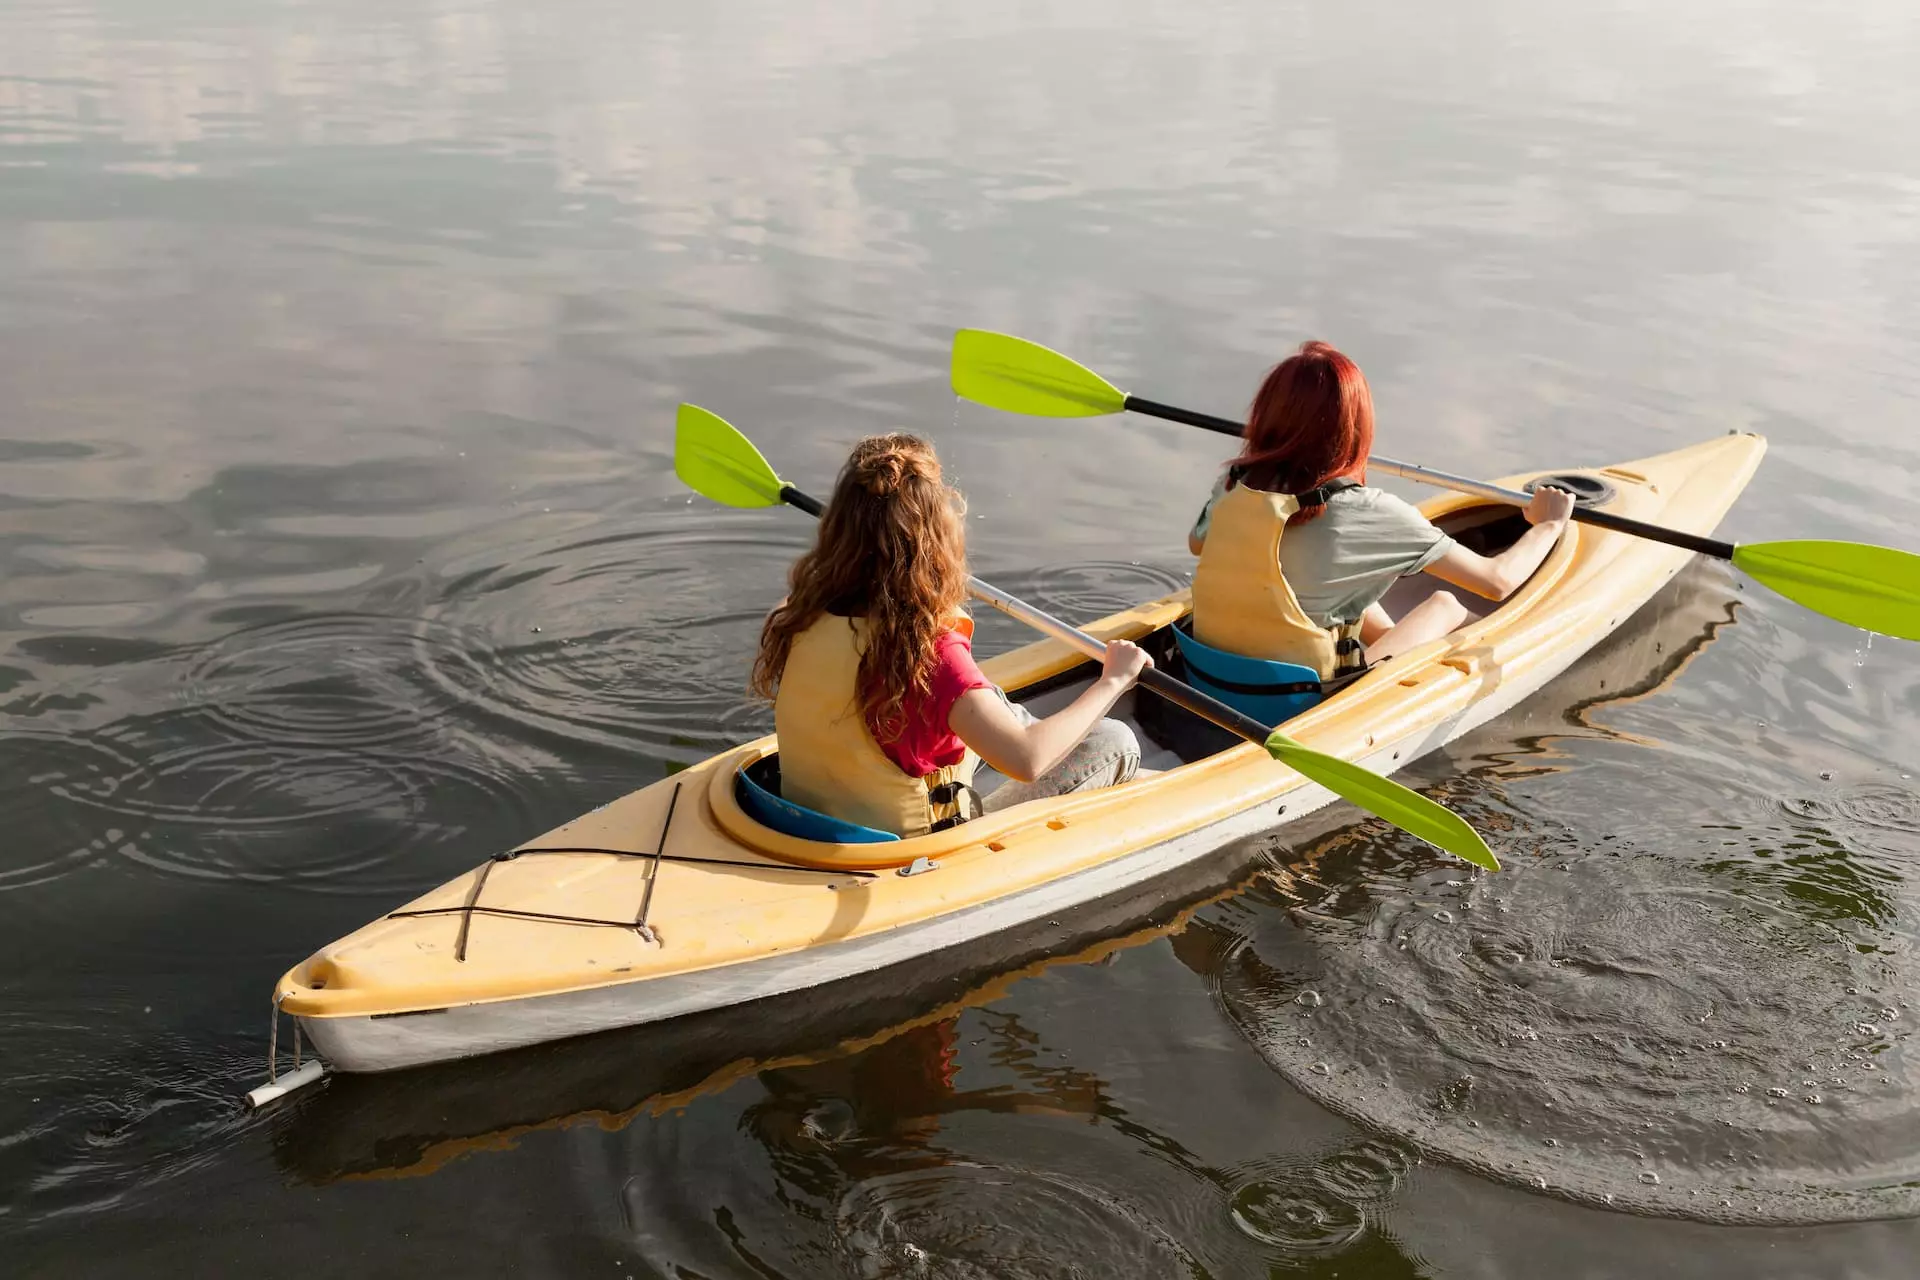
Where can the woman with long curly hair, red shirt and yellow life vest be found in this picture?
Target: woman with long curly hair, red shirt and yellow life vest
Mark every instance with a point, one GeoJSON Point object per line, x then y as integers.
{"type": "Point", "coordinates": [880, 709]}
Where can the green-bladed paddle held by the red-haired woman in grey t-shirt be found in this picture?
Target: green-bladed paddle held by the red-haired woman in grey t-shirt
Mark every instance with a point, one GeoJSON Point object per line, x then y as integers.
{"type": "Point", "coordinates": [1861, 584]}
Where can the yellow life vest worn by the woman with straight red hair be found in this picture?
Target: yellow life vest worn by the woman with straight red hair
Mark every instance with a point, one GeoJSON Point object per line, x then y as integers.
{"type": "Point", "coordinates": [1243, 604]}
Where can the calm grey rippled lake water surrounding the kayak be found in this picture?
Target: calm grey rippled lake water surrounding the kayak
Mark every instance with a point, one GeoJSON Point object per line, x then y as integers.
{"type": "Point", "coordinates": [339, 352]}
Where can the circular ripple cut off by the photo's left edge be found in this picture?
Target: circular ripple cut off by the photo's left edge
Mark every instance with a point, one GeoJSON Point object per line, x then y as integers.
{"type": "Point", "coordinates": [45, 788]}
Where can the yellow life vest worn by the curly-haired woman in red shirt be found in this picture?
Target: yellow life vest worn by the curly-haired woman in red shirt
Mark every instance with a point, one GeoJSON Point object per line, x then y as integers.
{"type": "Point", "coordinates": [828, 759]}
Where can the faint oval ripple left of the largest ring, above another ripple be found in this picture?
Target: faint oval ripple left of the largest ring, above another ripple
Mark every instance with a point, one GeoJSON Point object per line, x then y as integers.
{"type": "Point", "coordinates": [348, 680]}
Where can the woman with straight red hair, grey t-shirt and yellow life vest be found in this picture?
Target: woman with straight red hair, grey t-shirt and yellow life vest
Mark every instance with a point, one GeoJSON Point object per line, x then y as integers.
{"type": "Point", "coordinates": [1312, 596]}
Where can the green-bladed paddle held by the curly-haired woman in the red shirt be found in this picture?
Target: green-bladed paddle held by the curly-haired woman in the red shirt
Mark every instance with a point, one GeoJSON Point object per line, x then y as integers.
{"type": "Point", "coordinates": [713, 460]}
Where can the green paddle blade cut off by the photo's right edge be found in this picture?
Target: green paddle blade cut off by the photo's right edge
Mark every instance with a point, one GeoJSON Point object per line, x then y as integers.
{"type": "Point", "coordinates": [1865, 586]}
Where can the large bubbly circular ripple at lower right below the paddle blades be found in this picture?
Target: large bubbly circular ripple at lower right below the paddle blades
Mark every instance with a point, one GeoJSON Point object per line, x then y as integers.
{"type": "Point", "coordinates": [1608, 1028]}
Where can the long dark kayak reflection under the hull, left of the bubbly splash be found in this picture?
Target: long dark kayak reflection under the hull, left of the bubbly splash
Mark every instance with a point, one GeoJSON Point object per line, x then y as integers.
{"type": "Point", "coordinates": [383, 1126]}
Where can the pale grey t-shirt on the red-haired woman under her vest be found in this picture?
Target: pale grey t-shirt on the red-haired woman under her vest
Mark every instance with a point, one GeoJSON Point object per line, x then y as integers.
{"type": "Point", "coordinates": [1349, 557]}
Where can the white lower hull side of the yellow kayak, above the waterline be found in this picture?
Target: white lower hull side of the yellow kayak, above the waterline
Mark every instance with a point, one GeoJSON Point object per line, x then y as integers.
{"type": "Point", "coordinates": [396, 1041]}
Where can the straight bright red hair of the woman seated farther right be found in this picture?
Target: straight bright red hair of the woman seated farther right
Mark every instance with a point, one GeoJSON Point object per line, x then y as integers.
{"type": "Point", "coordinates": [1310, 423]}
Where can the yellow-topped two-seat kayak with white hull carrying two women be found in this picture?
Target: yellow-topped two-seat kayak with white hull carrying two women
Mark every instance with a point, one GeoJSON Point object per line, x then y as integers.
{"type": "Point", "coordinates": [677, 901]}
